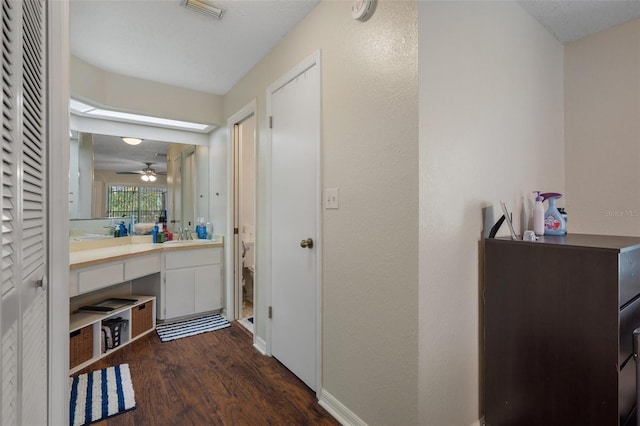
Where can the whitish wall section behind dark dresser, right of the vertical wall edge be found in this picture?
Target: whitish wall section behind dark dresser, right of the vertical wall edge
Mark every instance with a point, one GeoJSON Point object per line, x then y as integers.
{"type": "Point", "coordinates": [491, 128]}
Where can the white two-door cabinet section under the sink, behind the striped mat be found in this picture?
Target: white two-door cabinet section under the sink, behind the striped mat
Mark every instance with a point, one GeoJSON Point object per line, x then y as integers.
{"type": "Point", "coordinates": [192, 282]}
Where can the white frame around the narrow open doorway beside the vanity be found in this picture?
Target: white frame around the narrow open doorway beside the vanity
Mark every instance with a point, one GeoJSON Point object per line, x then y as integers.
{"type": "Point", "coordinates": [232, 248]}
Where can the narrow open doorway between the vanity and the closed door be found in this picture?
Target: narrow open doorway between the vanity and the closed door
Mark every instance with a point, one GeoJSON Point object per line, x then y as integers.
{"type": "Point", "coordinates": [244, 219]}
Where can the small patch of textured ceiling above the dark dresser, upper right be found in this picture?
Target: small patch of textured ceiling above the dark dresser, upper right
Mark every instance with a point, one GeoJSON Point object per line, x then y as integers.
{"type": "Point", "coordinates": [572, 20]}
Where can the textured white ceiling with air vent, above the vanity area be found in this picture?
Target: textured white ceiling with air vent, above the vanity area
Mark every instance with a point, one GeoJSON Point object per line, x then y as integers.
{"type": "Point", "coordinates": [163, 41]}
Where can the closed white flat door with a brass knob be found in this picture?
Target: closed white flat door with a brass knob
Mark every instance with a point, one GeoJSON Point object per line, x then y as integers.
{"type": "Point", "coordinates": [295, 208]}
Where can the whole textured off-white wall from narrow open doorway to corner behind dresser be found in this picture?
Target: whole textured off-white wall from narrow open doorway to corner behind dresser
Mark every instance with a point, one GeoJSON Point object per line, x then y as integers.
{"type": "Point", "coordinates": [490, 111]}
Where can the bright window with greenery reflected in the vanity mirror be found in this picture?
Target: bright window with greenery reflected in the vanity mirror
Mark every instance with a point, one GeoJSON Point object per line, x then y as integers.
{"type": "Point", "coordinates": [145, 202]}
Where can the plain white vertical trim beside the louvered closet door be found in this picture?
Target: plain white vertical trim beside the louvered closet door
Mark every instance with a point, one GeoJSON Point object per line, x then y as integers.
{"type": "Point", "coordinates": [58, 226]}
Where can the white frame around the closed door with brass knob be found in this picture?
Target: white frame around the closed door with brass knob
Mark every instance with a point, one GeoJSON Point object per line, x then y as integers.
{"type": "Point", "coordinates": [312, 60]}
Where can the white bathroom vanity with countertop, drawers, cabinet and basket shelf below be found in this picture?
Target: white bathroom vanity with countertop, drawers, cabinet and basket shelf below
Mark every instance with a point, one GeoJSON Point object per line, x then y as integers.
{"type": "Point", "coordinates": [167, 281]}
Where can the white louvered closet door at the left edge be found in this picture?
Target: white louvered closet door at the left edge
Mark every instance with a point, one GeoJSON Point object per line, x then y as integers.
{"type": "Point", "coordinates": [23, 307]}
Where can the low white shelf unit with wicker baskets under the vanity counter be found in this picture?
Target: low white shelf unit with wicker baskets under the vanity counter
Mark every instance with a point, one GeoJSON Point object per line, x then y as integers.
{"type": "Point", "coordinates": [89, 322]}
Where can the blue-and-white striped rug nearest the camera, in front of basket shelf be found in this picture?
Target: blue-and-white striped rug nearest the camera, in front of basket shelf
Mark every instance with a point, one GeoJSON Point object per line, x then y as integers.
{"type": "Point", "coordinates": [100, 394]}
